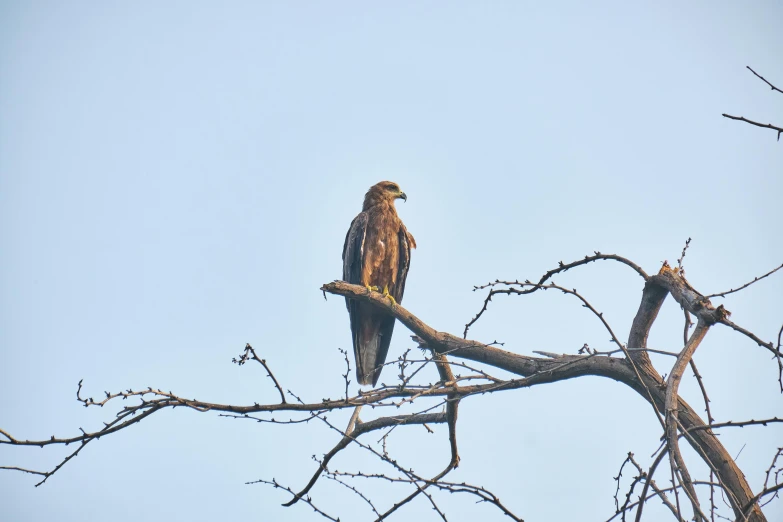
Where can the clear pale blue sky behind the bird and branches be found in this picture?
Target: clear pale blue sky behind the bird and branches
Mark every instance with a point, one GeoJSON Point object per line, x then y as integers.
{"type": "Point", "coordinates": [176, 179]}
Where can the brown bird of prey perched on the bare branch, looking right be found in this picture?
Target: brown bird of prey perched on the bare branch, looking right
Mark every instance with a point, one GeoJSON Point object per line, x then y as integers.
{"type": "Point", "coordinates": [376, 254]}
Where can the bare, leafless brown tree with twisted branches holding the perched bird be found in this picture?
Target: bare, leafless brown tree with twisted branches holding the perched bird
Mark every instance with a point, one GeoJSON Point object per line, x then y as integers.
{"type": "Point", "coordinates": [629, 364]}
